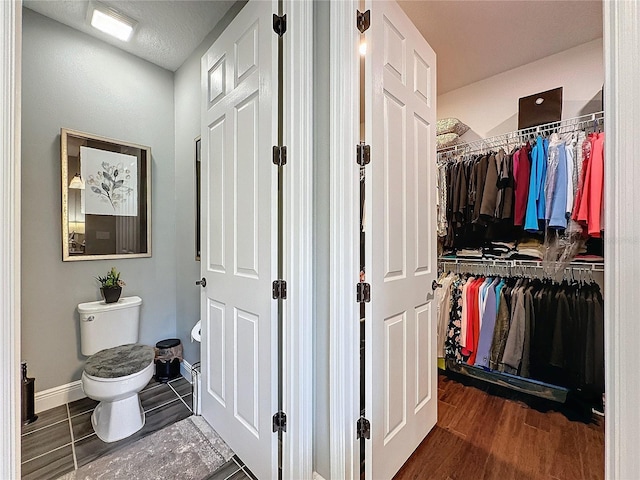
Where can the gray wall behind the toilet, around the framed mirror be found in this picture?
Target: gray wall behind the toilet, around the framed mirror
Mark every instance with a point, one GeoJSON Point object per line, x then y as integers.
{"type": "Point", "coordinates": [72, 80]}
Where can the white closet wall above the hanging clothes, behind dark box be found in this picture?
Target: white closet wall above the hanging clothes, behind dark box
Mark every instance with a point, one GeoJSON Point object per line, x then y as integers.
{"type": "Point", "coordinates": [490, 106]}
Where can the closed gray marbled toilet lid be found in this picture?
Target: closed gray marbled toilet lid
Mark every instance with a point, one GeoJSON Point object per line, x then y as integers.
{"type": "Point", "coordinates": [120, 361]}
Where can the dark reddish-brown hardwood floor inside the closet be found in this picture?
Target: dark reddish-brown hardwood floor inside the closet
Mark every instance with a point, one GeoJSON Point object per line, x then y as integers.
{"type": "Point", "coordinates": [488, 432]}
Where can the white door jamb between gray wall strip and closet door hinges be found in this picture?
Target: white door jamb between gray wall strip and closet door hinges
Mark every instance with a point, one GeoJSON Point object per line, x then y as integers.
{"type": "Point", "coordinates": [344, 221]}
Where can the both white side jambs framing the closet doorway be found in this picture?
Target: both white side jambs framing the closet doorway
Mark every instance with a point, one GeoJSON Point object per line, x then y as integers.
{"type": "Point", "coordinates": [622, 115]}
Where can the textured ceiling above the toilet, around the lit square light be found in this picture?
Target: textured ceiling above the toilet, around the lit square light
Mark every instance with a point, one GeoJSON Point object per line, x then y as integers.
{"type": "Point", "coordinates": [167, 31]}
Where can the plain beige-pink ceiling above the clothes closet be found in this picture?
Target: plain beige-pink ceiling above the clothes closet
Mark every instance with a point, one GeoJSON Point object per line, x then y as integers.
{"type": "Point", "coordinates": [476, 39]}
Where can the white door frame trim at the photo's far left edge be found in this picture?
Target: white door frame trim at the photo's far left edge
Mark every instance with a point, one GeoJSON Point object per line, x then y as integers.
{"type": "Point", "coordinates": [10, 103]}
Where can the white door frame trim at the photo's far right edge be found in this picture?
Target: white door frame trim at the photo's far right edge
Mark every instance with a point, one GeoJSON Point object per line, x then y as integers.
{"type": "Point", "coordinates": [622, 265]}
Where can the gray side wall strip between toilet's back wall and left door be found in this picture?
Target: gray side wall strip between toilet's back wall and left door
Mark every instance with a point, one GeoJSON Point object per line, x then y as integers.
{"type": "Point", "coordinates": [187, 119]}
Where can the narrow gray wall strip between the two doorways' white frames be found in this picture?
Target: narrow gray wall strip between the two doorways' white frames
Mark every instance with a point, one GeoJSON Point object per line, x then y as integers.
{"type": "Point", "coordinates": [321, 194]}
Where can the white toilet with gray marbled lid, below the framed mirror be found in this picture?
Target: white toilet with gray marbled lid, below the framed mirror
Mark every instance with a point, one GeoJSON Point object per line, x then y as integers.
{"type": "Point", "coordinates": [117, 369]}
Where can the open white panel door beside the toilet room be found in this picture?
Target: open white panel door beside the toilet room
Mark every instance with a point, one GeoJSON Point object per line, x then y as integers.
{"type": "Point", "coordinates": [239, 251]}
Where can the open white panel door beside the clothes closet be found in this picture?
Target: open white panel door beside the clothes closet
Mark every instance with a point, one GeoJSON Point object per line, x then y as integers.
{"type": "Point", "coordinates": [401, 371]}
